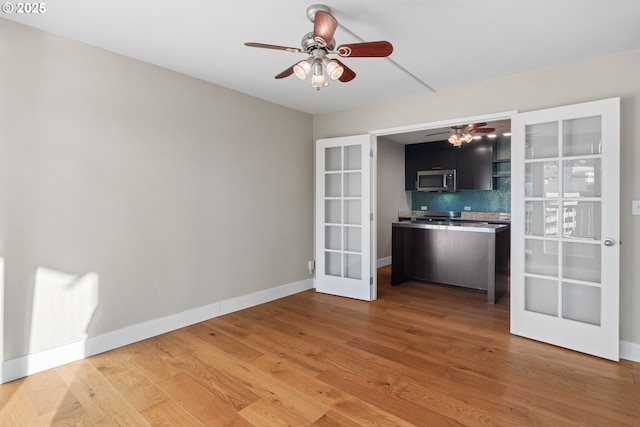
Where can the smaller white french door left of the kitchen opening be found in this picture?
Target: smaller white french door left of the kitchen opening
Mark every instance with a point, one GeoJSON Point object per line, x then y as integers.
{"type": "Point", "coordinates": [344, 220]}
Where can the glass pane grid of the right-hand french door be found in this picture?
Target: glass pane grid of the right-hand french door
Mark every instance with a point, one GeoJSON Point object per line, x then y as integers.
{"type": "Point", "coordinates": [562, 215]}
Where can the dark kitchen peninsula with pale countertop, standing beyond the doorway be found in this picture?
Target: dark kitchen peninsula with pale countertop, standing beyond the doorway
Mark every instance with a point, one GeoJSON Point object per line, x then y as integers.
{"type": "Point", "coordinates": [462, 253]}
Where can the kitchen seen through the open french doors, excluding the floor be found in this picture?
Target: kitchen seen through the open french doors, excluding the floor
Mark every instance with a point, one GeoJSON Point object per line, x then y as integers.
{"type": "Point", "coordinates": [452, 225]}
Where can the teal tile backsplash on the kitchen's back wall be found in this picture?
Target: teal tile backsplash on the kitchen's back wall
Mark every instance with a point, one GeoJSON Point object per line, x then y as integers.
{"type": "Point", "coordinates": [498, 200]}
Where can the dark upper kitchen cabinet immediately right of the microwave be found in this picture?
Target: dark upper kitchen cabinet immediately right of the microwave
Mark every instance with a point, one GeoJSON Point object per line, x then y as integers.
{"type": "Point", "coordinates": [475, 165]}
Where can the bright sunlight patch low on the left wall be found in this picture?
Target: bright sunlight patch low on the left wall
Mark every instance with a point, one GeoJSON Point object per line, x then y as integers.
{"type": "Point", "coordinates": [63, 305]}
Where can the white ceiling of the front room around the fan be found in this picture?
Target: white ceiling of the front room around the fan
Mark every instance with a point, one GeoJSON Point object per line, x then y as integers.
{"type": "Point", "coordinates": [444, 43]}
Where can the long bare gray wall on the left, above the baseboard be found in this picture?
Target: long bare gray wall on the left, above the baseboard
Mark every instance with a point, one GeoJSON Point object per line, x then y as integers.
{"type": "Point", "coordinates": [166, 192]}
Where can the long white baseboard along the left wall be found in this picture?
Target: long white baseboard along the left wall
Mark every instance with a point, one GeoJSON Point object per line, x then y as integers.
{"type": "Point", "coordinates": [30, 364]}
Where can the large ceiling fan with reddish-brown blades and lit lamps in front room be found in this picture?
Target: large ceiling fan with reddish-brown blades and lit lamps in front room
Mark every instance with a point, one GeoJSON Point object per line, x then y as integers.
{"type": "Point", "coordinates": [319, 43]}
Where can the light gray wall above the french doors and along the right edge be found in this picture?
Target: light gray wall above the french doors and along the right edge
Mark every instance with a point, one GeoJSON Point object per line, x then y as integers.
{"type": "Point", "coordinates": [587, 81]}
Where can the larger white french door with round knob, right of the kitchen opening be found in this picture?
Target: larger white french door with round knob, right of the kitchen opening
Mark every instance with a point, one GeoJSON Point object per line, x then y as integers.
{"type": "Point", "coordinates": [565, 226]}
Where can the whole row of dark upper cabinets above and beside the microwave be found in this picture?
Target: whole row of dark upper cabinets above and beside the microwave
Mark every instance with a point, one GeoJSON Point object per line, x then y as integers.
{"type": "Point", "coordinates": [473, 162]}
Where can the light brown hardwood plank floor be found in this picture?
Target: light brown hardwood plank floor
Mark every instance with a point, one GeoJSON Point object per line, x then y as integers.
{"type": "Point", "coordinates": [420, 355]}
